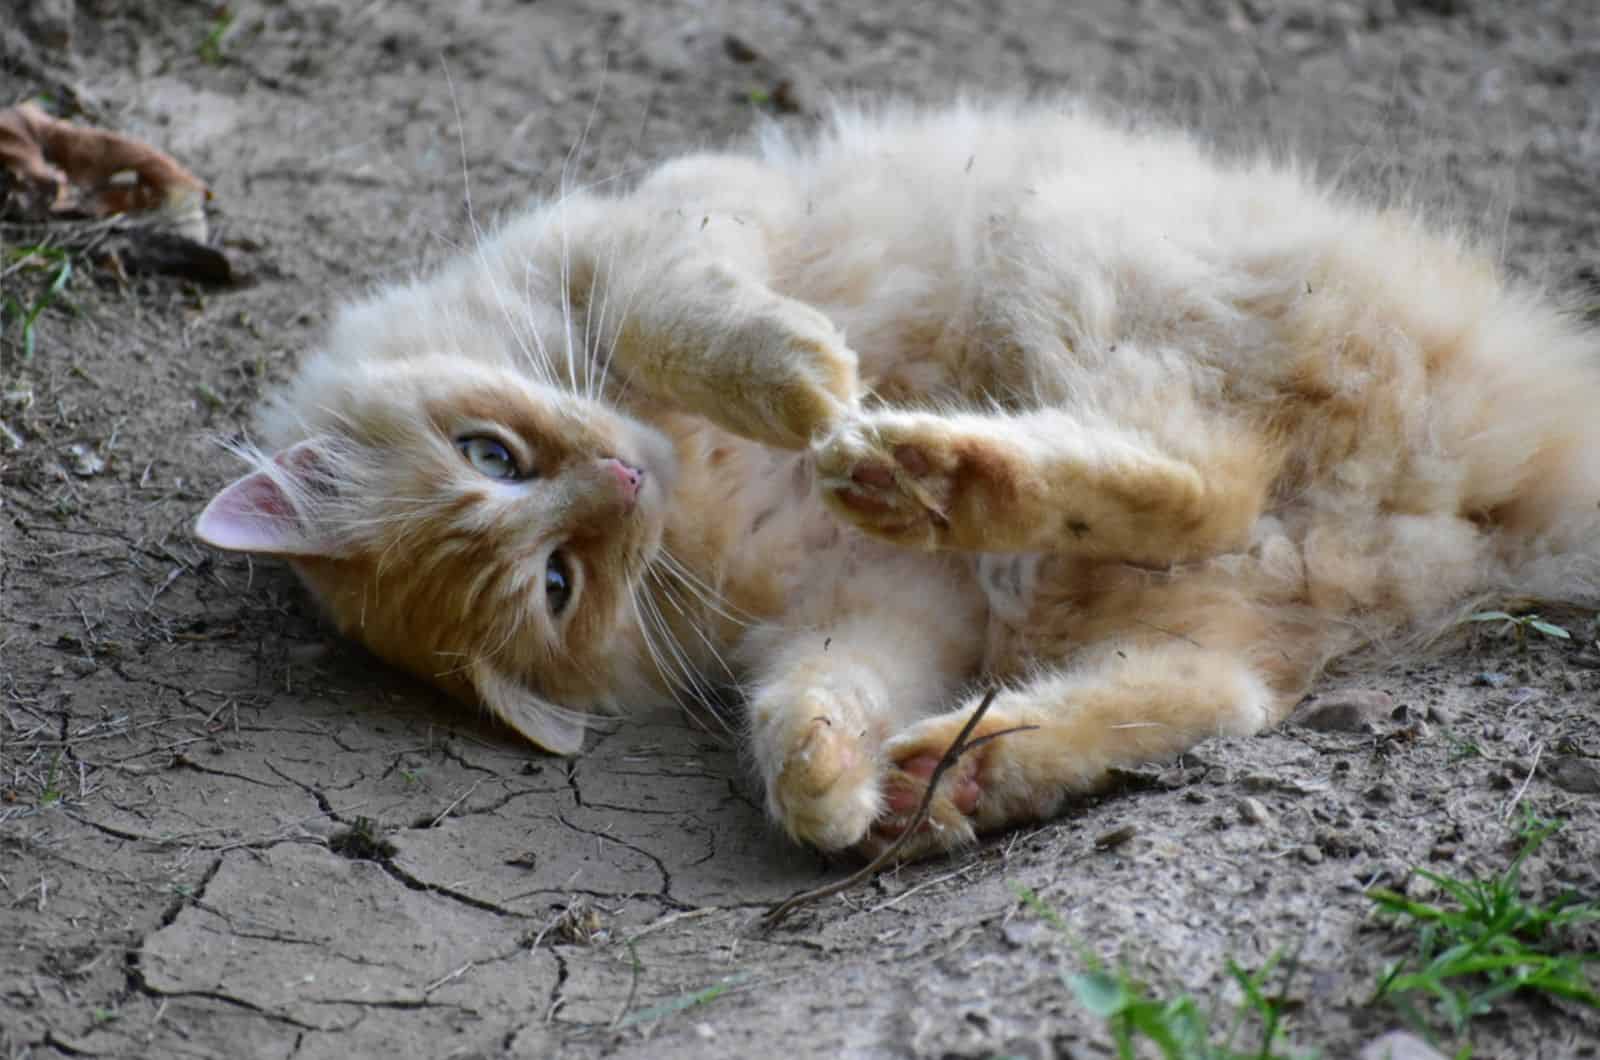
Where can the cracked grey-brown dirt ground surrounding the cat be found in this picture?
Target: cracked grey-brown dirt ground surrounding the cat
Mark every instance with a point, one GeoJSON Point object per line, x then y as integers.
{"type": "Point", "coordinates": [225, 835]}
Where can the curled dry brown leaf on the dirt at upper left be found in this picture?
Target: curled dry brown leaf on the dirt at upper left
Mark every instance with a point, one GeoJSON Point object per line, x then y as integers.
{"type": "Point", "coordinates": [71, 169]}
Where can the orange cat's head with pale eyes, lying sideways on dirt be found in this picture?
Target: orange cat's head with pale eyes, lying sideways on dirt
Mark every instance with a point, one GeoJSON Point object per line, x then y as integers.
{"type": "Point", "coordinates": [468, 523]}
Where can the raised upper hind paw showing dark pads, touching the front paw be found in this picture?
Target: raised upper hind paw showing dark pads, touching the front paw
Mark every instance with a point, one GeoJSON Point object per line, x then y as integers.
{"type": "Point", "coordinates": [895, 476]}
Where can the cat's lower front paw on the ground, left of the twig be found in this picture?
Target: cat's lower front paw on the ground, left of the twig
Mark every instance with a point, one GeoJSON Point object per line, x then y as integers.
{"type": "Point", "coordinates": [826, 790]}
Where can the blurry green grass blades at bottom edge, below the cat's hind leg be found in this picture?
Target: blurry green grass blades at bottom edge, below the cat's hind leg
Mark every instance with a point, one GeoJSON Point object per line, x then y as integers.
{"type": "Point", "coordinates": [1178, 1029]}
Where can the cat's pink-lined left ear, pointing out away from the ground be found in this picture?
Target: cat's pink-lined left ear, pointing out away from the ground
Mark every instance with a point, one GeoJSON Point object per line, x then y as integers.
{"type": "Point", "coordinates": [260, 515]}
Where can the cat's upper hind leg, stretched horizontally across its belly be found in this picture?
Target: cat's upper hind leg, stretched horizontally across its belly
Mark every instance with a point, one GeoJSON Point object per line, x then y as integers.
{"type": "Point", "coordinates": [1047, 481]}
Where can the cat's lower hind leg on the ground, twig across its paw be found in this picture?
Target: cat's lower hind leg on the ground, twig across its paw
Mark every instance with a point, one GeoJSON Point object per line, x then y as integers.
{"type": "Point", "coordinates": [1170, 660]}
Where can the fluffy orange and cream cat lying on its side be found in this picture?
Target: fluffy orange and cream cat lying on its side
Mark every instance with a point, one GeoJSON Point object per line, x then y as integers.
{"type": "Point", "coordinates": [932, 400]}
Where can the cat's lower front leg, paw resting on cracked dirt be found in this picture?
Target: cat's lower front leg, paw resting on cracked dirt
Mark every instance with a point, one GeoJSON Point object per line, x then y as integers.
{"type": "Point", "coordinates": [830, 699]}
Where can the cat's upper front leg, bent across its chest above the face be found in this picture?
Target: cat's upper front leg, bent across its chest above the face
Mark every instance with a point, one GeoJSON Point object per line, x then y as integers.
{"type": "Point", "coordinates": [679, 278]}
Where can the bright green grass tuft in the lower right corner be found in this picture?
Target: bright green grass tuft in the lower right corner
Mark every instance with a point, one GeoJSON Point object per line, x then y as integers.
{"type": "Point", "coordinates": [1482, 942]}
